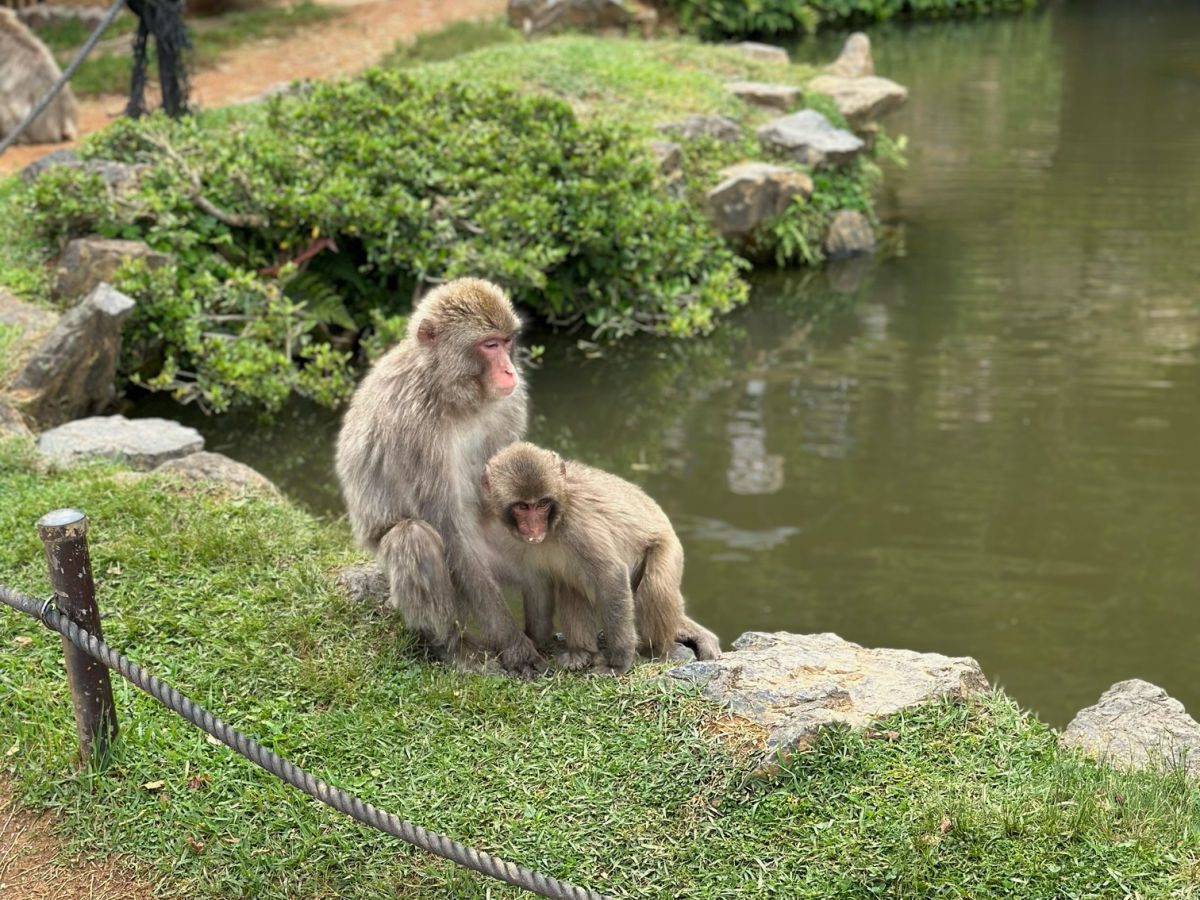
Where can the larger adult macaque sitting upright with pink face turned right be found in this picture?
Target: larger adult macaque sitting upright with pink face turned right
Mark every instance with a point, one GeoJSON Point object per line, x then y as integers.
{"type": "Point", "coordinates": [419, 430]}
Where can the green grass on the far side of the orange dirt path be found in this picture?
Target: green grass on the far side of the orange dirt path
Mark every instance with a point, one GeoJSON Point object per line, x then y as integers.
{"type": "Point", "coordinates": [110, 71]}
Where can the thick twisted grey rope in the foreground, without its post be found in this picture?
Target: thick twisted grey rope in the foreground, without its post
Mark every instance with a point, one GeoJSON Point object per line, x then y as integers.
{"type": "Point", "coordinates": [295, 776]}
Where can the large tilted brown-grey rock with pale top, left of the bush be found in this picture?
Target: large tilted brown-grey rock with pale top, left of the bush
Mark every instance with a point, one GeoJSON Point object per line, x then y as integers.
{"type": "Point", "coordinates": [73, 371]}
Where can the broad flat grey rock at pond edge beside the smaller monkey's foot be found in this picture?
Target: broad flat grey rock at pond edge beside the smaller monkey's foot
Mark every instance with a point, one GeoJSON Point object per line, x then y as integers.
{"type": "Point", "coordinates": [797, 685]}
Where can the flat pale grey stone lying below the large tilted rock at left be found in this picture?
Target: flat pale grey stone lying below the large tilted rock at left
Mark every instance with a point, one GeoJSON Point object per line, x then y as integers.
{"type": "Point", "coordinates": [142, 443]}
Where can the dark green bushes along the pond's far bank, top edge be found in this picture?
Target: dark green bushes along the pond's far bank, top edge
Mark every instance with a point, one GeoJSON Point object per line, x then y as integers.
{"type": "Point", "coordinates": [722, 19]}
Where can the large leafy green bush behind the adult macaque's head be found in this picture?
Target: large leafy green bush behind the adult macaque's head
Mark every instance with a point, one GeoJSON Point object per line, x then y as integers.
{"type": "Point", "coordinates": [316, 218]}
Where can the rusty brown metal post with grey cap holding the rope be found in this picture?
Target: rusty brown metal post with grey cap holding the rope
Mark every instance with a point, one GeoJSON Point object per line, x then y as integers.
{"type": "Point", "coordinates": [65, 536]}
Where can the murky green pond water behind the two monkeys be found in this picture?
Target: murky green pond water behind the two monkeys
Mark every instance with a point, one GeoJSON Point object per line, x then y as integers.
{"type": "Point", "coordinates": [992, 446]}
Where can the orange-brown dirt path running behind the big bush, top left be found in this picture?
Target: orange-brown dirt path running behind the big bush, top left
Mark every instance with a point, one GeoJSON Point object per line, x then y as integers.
{"type": "Point", "coordinates": [347, 45]}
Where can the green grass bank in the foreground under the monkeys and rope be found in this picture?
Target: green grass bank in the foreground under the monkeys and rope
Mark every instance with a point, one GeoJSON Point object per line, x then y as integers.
{"type": "Point", "coordinates": [616, 784]}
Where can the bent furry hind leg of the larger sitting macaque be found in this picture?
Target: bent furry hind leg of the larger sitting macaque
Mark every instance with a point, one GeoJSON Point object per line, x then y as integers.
{"type": "Point", "coordinates": [419, 586]}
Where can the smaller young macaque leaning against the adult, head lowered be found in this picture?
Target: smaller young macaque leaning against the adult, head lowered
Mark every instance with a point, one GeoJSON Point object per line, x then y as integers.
{"type": "Point", "coordinates": [595, 543]}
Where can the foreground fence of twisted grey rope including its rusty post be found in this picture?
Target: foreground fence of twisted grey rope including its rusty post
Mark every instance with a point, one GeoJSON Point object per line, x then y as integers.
{"type": "Point", "coordinates": [95, 649]}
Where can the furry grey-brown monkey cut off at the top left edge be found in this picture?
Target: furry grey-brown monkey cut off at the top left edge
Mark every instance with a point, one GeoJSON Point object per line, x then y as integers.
{"type": "Point", "coordinates": [27, 74]}
